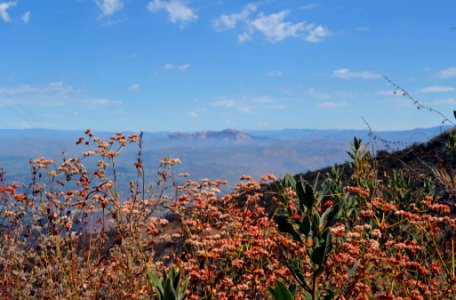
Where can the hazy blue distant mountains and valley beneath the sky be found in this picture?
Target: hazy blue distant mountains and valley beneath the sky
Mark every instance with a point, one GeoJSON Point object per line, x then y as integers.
{"type": "Point", "coordinates": [225, 154]}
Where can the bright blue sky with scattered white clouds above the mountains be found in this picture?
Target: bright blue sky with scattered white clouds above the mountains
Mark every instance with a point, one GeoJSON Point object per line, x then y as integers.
{"type": "Point", "coordinates": [179, 65]}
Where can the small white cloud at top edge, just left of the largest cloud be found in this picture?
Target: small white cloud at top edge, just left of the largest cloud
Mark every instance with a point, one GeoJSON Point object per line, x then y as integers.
{"type": "Point", "coordinates": [178, 11]}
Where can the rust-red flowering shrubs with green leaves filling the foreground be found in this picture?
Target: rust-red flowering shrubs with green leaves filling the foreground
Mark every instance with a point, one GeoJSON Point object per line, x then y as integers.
{"type": "Point", "coordinates": [71, 234]}
